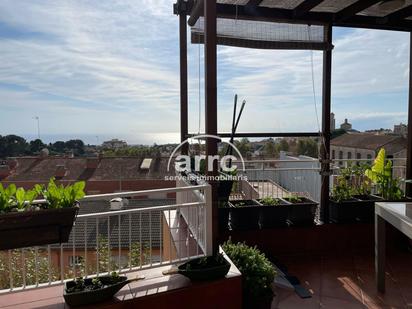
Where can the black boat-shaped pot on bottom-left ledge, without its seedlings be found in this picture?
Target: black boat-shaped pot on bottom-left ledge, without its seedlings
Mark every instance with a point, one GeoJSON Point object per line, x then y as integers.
{"type": "Point", "coordinates": [88, 297]}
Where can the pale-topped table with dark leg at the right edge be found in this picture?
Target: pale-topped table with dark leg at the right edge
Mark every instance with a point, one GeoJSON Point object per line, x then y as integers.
{"type": "Point", "coordinates": [400, 216]}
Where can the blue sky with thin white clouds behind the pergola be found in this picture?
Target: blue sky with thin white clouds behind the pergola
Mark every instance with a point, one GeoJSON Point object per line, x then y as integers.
{"type": "Point", "coordinates": [110, 69]}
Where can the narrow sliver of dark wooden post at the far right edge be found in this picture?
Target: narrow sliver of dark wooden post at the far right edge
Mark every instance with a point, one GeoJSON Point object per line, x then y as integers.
{"type": "Point", "coordinates": [409, 148]}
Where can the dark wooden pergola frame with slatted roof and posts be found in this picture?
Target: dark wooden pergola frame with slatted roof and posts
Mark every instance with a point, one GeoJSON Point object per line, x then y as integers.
{"type": "Point", "coordinates": [393, 15]}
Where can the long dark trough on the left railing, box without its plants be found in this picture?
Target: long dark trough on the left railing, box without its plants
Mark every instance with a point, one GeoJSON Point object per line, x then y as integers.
{"type": "Point", "coordinates": [36, 228]}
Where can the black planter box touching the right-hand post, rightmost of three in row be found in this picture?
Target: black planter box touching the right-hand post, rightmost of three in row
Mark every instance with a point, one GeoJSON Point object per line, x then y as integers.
{"type": "Point", "coordinates": [302, 213]}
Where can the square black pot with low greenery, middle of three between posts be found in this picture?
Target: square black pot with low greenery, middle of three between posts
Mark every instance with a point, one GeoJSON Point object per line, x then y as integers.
{"type": "Point", "coordinates": [274, 212]}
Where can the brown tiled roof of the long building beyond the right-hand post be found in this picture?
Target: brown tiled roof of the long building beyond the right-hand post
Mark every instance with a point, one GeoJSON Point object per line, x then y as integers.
{"type": "Point", "coordinates": [391, 143]}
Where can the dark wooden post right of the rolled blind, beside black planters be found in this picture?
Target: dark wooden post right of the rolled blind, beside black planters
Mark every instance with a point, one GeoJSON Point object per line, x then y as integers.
{"type": "Point", "coordinates": [325, 146]}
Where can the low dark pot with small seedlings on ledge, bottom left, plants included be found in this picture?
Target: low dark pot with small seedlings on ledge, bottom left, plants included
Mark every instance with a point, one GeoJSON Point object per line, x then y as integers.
{"type": "Point", "coordinates": [79, 292]}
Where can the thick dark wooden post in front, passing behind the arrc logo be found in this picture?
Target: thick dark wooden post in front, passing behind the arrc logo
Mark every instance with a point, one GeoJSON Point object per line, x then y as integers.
{"type": "Point", "coordinates": [211, 104]}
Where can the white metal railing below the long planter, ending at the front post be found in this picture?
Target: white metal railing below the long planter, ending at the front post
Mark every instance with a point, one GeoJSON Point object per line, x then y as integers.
{"type": "Point", "coordinates": [120, 240]}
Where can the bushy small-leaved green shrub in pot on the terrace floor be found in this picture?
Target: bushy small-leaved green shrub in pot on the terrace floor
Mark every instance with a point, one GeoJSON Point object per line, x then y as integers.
{"type": "Point", "coordinates": [257, 271]}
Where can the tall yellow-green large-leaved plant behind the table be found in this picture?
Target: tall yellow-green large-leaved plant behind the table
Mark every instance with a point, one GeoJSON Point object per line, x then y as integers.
{"type": "Point", "coordinates": [381, 174]}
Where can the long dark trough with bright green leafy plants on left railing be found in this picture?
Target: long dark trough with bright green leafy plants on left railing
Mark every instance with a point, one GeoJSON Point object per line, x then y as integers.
{"type": "Point", "coordinates": [24, 223]}
